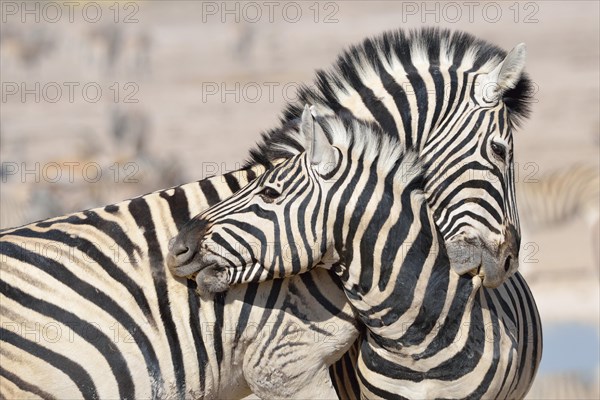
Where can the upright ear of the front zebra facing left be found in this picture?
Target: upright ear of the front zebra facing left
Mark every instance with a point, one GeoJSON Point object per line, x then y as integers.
{"type": "Point", "coordinates": [320, 151]}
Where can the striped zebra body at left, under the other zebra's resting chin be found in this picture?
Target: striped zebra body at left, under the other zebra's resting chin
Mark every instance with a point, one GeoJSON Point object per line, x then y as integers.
{"type": "Point", "coordinates": [88, 310]}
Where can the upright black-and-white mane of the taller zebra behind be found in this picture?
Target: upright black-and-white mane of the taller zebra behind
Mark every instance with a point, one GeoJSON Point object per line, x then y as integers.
{"type": "Point", "coordinates": [453, 49]}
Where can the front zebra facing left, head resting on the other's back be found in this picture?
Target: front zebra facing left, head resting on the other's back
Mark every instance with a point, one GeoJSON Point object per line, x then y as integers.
{"type": "Point", "coordinates": [357, 207]}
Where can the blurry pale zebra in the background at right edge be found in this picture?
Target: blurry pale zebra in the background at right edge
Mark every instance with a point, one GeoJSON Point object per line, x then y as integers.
{"type": "Point", "coordinates": [559, 197]}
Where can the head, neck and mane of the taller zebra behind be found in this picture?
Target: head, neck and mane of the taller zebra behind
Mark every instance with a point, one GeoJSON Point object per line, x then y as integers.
{"type": "Point", "coordinates": [454, 99]}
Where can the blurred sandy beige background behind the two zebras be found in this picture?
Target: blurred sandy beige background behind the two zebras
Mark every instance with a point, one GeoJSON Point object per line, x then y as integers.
{"type": "Point", "coordinates": [102, 101]}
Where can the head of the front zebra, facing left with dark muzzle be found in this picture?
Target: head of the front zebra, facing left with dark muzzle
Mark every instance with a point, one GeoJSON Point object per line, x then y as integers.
{"type": "Point", "coordinates": [294, 217]}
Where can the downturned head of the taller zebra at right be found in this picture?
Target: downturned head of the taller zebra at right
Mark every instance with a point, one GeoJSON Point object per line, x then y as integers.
{"type": "Point", "coordinates": [470, 179]}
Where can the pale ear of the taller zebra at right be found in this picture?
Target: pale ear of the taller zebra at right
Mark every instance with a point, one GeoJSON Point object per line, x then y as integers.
{"type": "Point", "coordinates": [506, 75]}
